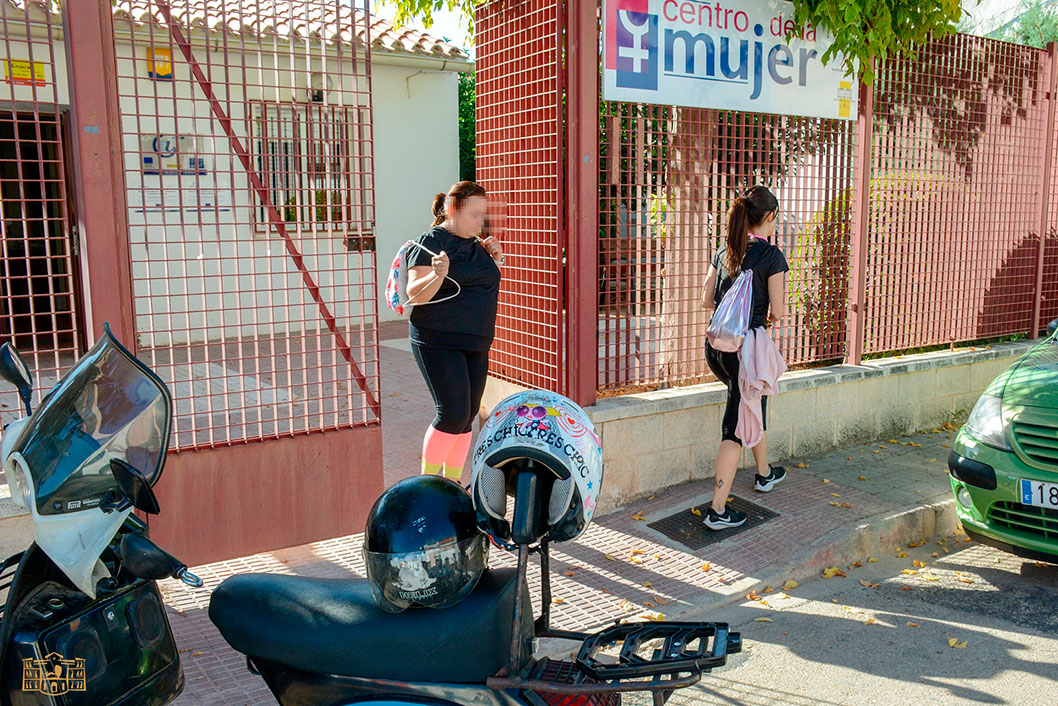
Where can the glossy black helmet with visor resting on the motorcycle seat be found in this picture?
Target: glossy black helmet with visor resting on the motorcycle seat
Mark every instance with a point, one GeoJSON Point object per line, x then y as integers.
{"type": "Point", "coordinates": [423, 546]}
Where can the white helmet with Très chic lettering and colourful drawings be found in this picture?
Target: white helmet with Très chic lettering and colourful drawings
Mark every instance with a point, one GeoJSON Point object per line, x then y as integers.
{"type": "Point", "coordinates": [555, 432]}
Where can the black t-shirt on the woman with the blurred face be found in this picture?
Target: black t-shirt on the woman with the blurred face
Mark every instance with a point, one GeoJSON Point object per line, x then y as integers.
{"type": "Point", "coordinates": [467, 322]}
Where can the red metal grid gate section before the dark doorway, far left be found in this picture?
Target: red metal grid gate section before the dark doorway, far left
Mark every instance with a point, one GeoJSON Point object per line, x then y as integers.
{"type": "Point", "coordinates": [41, 305]}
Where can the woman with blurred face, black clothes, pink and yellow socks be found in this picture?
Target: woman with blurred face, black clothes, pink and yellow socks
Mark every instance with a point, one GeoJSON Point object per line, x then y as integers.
{"type": "Point", "coordinates": [451, 337]}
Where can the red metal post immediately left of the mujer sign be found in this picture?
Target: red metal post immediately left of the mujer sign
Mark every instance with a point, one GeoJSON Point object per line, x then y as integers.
{"type": "Point", "coordinates": [582, 201]}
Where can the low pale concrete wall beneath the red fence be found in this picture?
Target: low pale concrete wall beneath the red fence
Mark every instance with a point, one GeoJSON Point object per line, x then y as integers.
{"type": "Point", "coordinates": [654, 441]}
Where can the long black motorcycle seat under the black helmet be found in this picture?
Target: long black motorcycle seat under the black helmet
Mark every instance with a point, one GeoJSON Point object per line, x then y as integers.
{"type": "Point", "coordinates": [334, 627]}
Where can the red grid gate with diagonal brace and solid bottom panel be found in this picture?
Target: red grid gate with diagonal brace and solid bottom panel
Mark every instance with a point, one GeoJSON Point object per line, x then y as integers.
{"type": "Point", "coordinates": [247, 142]}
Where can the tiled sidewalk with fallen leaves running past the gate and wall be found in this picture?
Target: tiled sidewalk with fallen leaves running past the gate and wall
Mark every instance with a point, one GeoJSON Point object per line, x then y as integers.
{"type": "Point", "coordinates": [832, 510]}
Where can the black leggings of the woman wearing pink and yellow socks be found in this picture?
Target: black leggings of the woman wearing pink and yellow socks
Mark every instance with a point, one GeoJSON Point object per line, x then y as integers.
{"type": "Point", "coordinates": [457, 381]}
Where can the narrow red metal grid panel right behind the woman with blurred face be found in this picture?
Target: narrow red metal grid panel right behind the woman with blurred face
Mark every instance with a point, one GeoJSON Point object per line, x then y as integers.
{"type": "Point", "coordinates": [519, 162]}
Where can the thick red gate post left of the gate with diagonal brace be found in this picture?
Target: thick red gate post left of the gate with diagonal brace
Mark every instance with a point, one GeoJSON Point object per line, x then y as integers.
{"type": "Point", "coordinates": [99, 170]}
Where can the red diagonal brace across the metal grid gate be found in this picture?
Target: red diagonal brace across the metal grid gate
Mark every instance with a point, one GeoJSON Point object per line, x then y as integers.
{"type": "Point", "coordinates": [259, 186]}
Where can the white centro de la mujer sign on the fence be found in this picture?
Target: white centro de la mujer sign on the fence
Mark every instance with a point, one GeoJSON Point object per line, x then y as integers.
{"type": "Point", "coordinates": [729, 57]}
